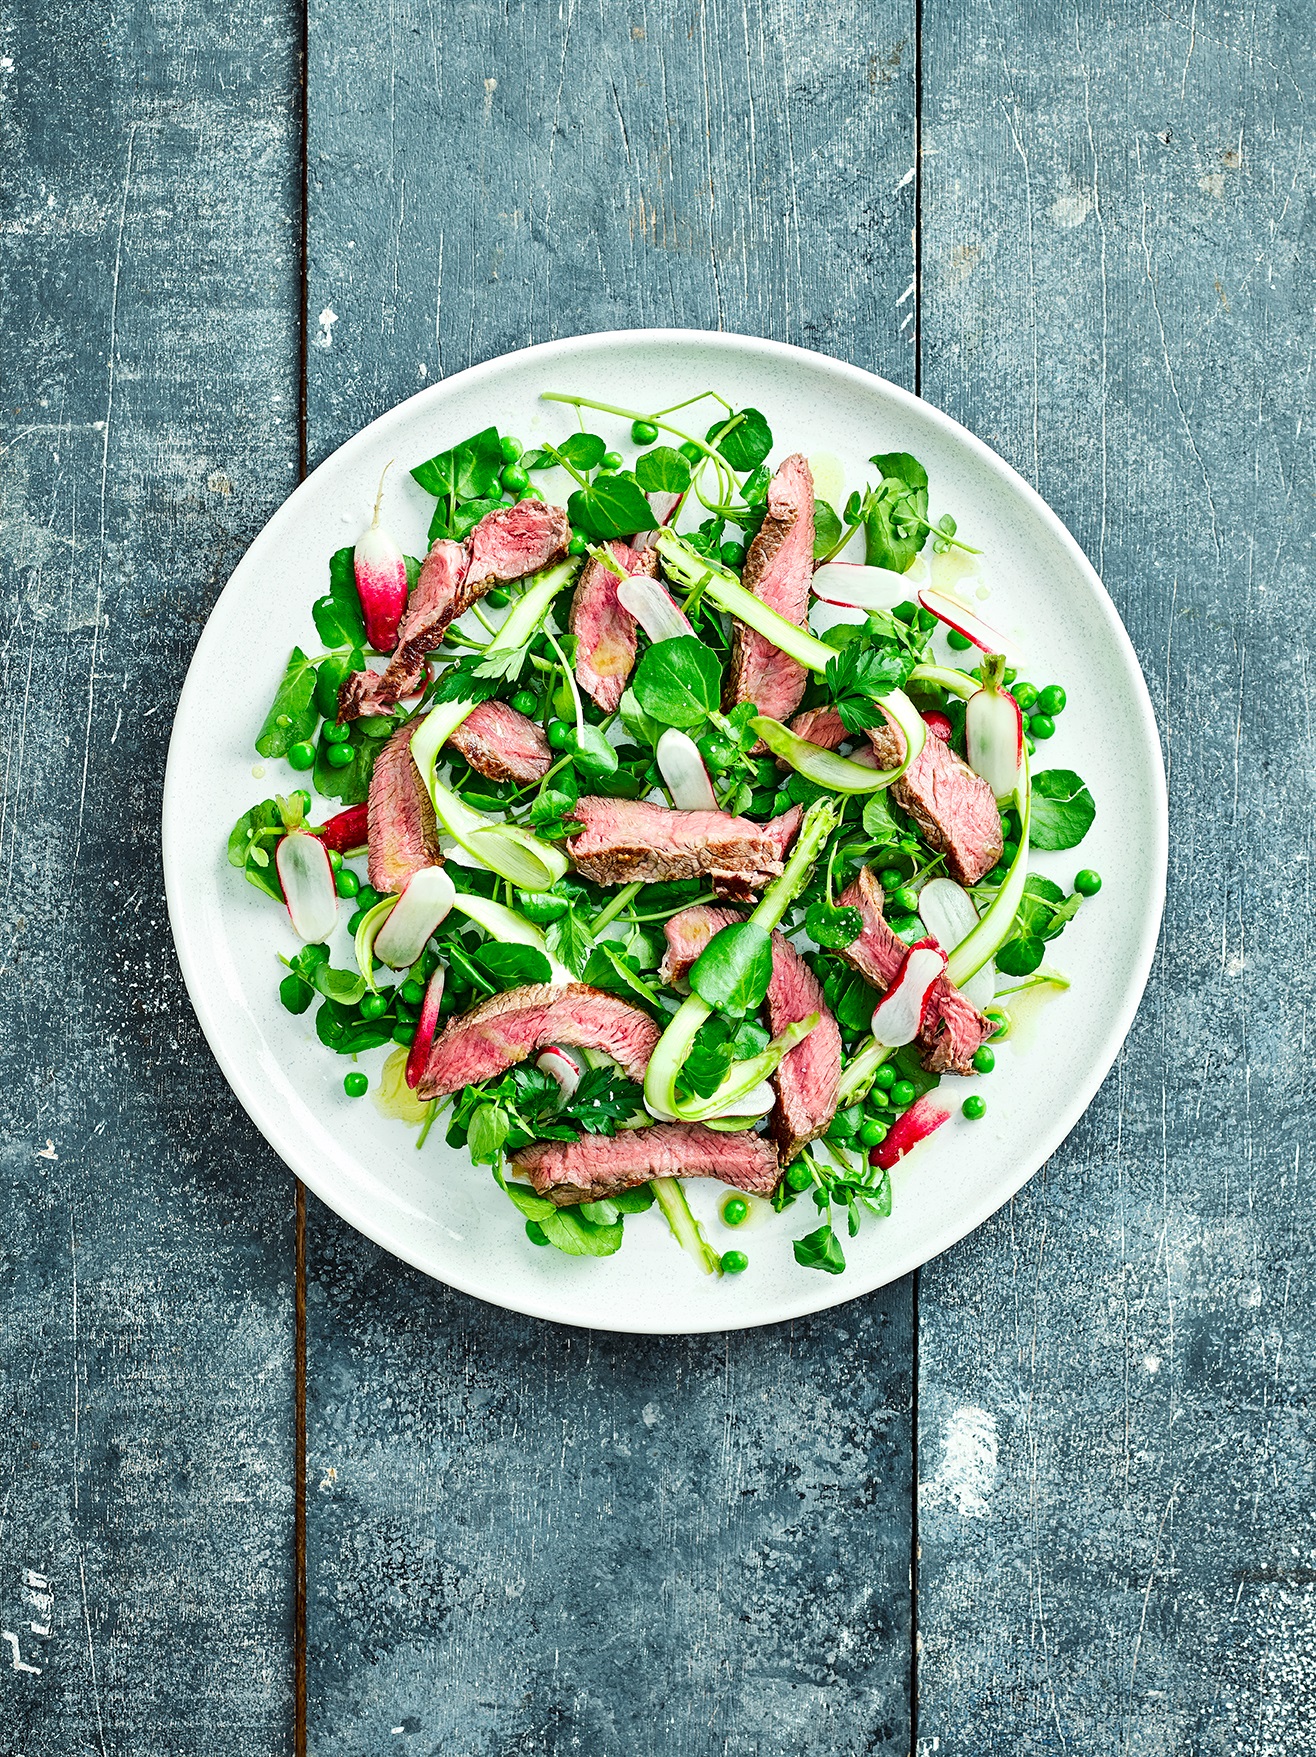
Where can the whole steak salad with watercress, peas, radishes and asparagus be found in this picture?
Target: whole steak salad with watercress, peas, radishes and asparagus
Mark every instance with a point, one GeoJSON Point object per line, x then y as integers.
{"type": "Point", "coordinates": [662, 881]}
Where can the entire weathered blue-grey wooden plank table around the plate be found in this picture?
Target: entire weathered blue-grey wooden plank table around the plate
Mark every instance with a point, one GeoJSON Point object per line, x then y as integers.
{"type": "Point", "coordinates": [261, 1487]}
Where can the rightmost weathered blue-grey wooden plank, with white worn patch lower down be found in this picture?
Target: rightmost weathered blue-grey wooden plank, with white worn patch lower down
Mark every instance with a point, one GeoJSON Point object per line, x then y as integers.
{"type": "Point", "coordinates": [1115, 1385]}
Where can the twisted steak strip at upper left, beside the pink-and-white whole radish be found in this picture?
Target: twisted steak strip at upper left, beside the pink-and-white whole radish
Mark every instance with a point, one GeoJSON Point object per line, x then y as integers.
{"type": "Point", "coordinates": [507, 546]}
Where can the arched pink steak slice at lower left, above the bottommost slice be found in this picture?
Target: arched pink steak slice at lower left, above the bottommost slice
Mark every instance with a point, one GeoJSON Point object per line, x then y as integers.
{"type": "Point", "coordinates": [507, 1029]}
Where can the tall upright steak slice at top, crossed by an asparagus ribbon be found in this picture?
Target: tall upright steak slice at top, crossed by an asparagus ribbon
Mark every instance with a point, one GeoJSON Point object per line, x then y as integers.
{"type": "Point", "coordinates": [777, 570]}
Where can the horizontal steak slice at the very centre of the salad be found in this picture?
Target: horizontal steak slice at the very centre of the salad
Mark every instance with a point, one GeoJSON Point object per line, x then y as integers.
{"type": "Point", "coordinates": [632, 839]}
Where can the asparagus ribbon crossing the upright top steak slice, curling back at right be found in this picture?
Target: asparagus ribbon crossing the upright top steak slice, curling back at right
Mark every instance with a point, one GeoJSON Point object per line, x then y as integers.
{"type": "Point", "coordinates": [813, 762]}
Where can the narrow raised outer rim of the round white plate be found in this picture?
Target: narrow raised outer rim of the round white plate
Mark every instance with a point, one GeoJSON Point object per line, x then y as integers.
{"type": "Point", "coordinates": [354, 1210]}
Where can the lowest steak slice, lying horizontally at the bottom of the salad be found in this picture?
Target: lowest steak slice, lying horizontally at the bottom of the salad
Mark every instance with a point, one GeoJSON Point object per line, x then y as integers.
{"type": "Point", "coordinates": [604, 1166]}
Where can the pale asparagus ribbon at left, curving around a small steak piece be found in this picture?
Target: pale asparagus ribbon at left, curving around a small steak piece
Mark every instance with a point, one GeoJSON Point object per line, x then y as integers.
{"type": "Point", "coordinates": [505, 850]}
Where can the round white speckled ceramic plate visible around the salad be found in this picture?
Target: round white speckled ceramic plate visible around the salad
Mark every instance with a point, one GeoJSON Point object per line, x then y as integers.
{"type": "Point", "coordinates": [433, 1208]}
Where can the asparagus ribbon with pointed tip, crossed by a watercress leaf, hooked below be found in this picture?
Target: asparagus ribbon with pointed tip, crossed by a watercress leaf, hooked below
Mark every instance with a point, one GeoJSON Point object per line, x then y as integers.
{"type": "Point", "coordinates": [677, 1041]}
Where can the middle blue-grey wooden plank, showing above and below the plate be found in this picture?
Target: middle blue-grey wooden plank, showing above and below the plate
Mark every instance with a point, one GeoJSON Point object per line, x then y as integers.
{"type": "Point", "coordinates": [523, 1536]}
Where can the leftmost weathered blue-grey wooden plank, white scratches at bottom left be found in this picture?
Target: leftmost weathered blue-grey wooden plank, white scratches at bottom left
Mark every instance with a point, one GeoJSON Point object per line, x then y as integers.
{"type": "Point", "coordinates": [148, 277]}
